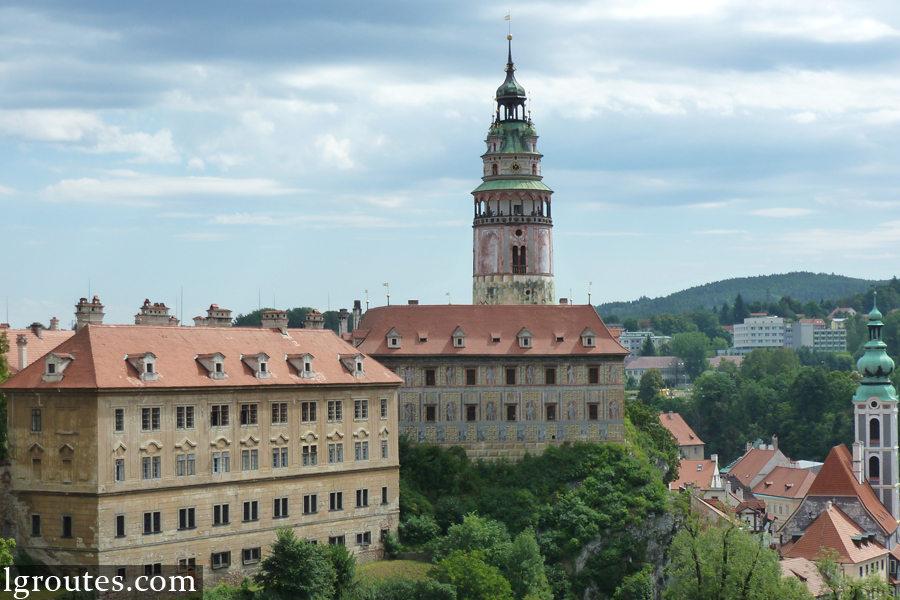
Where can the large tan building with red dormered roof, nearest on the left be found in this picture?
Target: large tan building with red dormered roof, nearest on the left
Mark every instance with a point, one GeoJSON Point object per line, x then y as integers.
{"type": "Point", "coordinates": [153, 445]}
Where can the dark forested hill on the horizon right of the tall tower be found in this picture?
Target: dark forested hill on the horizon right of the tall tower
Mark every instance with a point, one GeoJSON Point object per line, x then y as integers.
{"type": "Point", "coordinates": [801, 286]}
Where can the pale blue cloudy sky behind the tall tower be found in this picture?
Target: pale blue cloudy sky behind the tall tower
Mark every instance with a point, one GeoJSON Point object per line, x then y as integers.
{"type": "Point", "coordinates": [276, 153]}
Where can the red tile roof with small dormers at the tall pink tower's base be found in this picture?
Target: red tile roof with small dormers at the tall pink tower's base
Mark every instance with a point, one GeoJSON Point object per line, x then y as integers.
{"type": "Point", "coordinates": [482, 323]}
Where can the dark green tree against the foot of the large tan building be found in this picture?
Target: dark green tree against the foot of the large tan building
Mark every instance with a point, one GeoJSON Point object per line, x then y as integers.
{"type": "Point", "coordinates": [296, 569]}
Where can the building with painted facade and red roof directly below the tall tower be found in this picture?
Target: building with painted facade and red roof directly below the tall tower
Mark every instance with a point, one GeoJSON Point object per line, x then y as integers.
{"type": "Point", "coordinates": [500, 380]}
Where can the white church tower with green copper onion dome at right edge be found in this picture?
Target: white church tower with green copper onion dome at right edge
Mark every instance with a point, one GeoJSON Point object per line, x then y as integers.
{"type": "Point", "coordinates": [875, 412]}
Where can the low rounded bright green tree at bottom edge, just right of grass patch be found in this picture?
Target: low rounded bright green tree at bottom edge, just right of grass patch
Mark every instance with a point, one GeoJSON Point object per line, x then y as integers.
{"type": "Point", "coordinates": [474, 578]}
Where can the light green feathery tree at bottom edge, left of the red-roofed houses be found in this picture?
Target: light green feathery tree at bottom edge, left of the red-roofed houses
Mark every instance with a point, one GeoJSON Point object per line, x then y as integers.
{"type": "Point", "coordinates": [724, 563]}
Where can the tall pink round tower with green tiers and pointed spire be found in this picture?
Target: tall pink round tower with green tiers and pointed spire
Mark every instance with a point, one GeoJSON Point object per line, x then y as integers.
{"type": "Point", "coordinates": [512, 243]}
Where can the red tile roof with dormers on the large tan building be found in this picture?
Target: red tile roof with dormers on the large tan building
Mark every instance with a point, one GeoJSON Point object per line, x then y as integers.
{"type": "Point", "coordinates": [99, 358]}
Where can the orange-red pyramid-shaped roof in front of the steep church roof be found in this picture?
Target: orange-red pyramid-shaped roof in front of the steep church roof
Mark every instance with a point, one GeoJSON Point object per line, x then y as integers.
{"type": "Point", "coordinates": [834, 530]}
